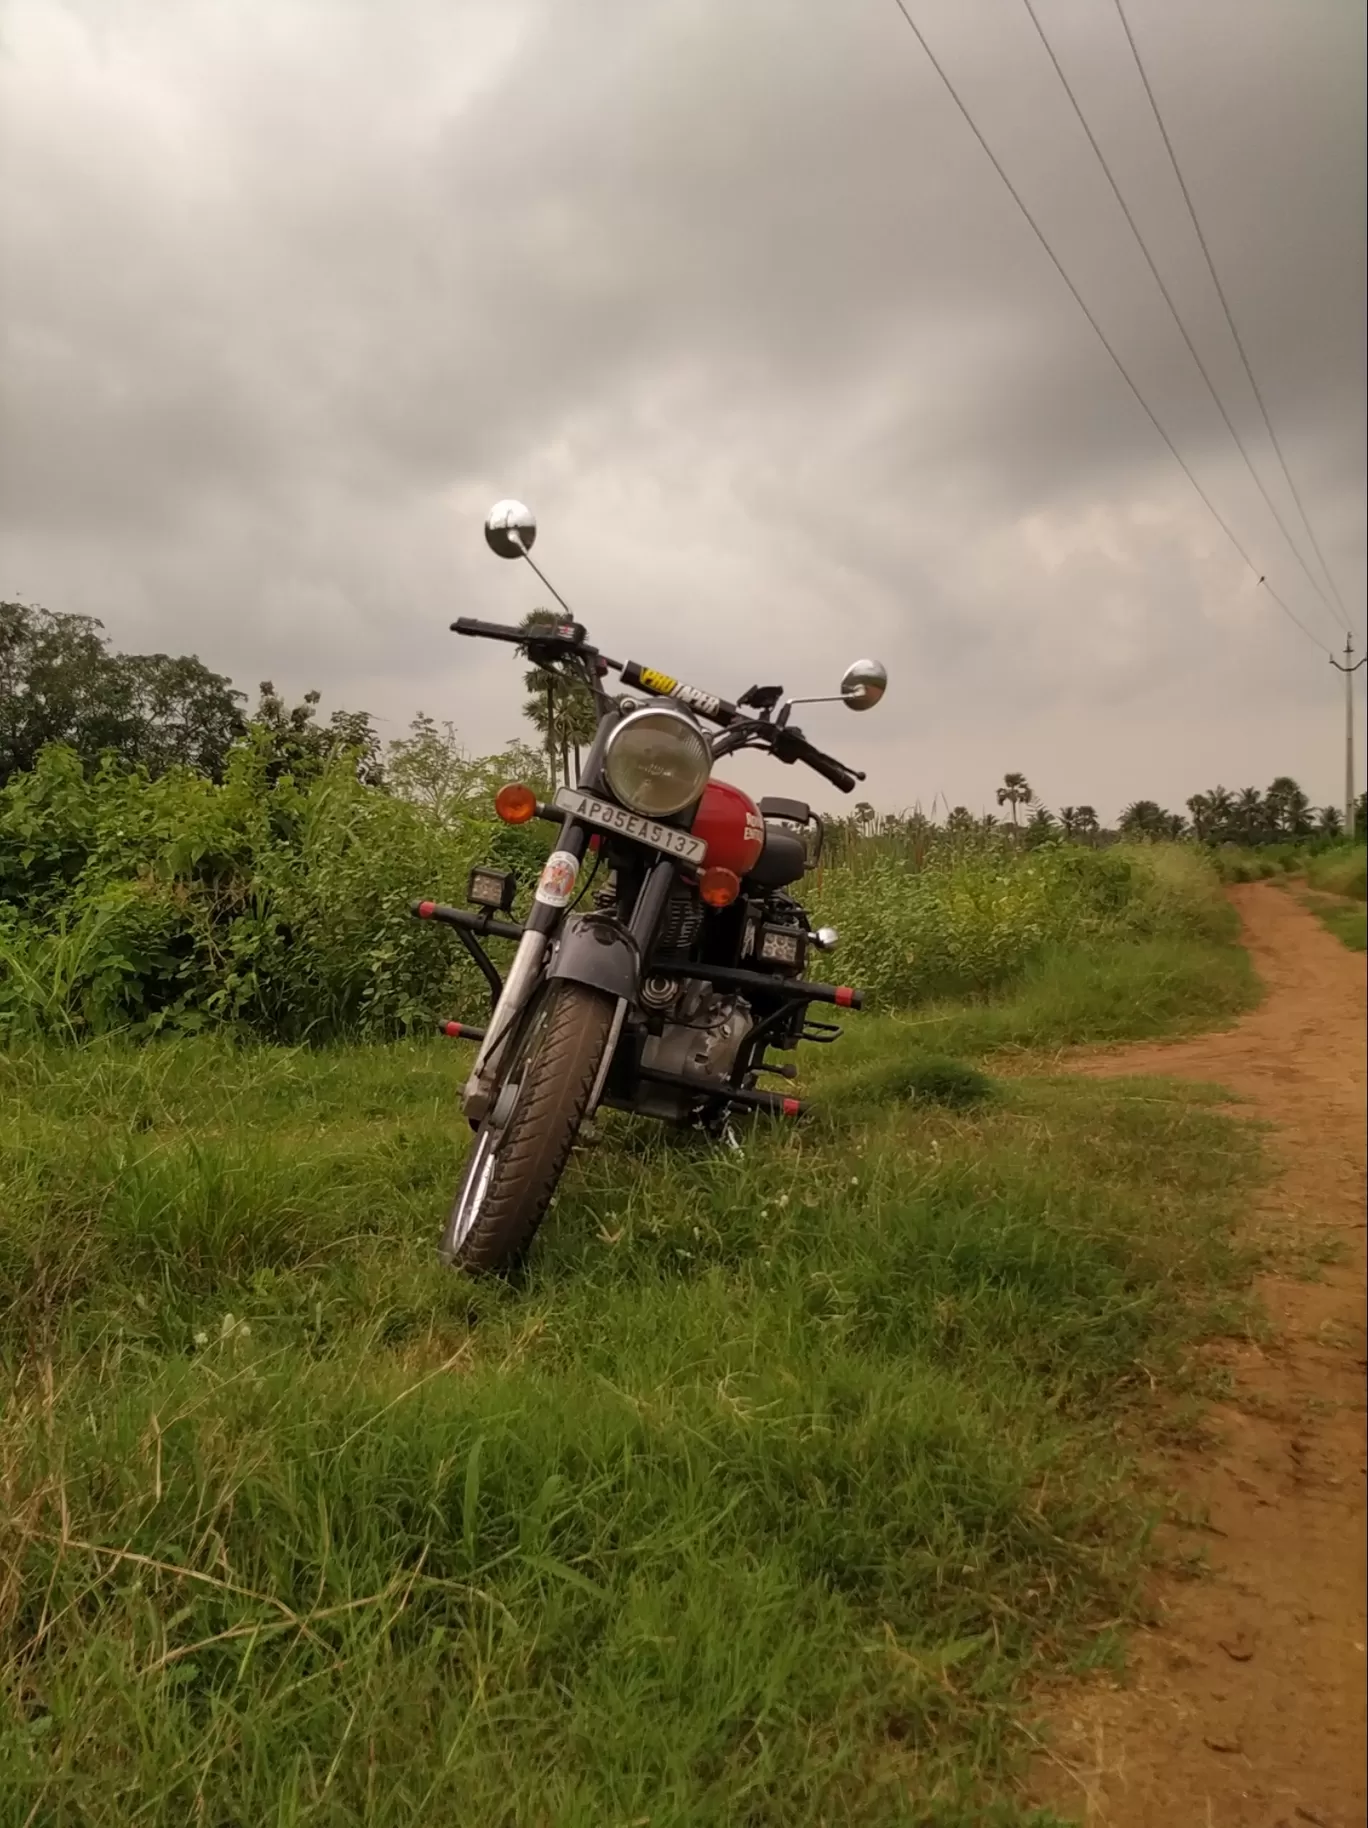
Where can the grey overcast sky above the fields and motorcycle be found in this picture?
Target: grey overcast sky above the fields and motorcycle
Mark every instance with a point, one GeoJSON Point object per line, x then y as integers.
{"type": "Point", "coordinates": [294, 290]}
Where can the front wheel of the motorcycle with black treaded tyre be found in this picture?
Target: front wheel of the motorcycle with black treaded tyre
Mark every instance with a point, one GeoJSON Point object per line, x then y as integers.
{"type": "Point", "coordinates": [522, 1147]}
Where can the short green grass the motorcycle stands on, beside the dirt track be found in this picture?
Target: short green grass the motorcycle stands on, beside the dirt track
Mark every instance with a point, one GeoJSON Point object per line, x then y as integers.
{"type": "Point", "coordinates": [760, 1504]}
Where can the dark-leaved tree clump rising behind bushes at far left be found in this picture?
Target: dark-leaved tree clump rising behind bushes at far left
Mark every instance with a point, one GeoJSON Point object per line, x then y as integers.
{"type": "Point", "coordinates": [59, 683]}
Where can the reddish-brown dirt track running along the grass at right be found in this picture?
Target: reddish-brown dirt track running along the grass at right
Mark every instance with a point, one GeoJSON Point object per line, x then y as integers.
{"type": "Point", "coordinates": [1243, 1705]}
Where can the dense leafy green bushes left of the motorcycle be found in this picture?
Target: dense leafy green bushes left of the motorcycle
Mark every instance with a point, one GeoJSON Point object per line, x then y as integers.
{"type": "Point", "coordinates": [133, 904]}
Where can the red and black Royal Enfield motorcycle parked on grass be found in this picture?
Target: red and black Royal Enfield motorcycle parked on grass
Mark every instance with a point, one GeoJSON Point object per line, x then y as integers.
{"type": "Point", "coordinates": [665, 995]}
